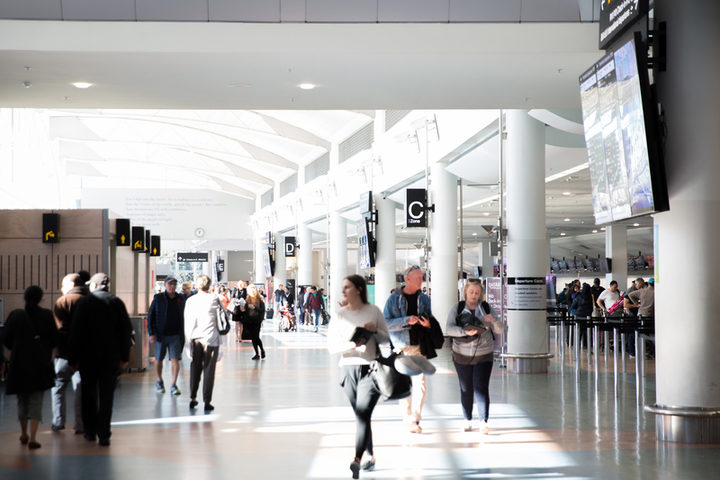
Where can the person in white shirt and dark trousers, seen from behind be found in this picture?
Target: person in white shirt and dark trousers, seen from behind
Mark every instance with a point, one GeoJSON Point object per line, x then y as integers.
{"type": "Point", "coordinates": [201, 332]}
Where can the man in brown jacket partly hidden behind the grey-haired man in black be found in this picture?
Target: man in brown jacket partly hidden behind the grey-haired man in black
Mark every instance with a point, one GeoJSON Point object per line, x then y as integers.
{"type": "Point", "coordinates": [73, 290]}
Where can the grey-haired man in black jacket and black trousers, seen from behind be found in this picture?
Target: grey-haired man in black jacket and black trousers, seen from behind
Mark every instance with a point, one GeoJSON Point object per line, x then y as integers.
{"type": "Point", "coordinates": [100, 347]}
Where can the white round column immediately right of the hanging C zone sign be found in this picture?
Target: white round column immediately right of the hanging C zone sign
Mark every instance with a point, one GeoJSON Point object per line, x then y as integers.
{"type": "Point", "coordinates": [443, 239]}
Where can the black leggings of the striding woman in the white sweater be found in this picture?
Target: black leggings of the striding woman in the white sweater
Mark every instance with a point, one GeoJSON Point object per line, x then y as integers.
{"type": "Point", "coordinates": [360, 389]}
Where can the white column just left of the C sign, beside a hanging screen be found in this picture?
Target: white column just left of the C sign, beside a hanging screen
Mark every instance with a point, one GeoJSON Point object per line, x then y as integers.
{"type": "Point", "coordinates": [385, 258]}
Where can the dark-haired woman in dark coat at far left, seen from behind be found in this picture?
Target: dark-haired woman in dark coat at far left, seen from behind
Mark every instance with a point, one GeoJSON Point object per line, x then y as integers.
{"type": "Point", "coordinates": [31, 335]}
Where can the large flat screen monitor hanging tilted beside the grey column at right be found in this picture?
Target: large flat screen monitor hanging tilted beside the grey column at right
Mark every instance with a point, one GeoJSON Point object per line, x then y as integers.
{"type": "Point", "coordinates": [624, 155]}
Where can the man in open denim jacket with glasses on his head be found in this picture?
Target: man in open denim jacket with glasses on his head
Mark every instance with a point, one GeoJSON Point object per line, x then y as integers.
{"type": "Point", "coordinates": [410, 323]}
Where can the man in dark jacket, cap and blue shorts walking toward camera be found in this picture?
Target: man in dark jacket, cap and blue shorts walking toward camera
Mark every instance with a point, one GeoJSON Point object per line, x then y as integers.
{"type": "Point", "coordinates": [166, 329]}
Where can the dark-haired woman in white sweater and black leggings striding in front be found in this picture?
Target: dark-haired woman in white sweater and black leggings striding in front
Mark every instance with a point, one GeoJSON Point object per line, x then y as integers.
{"type": "Point", "coordinates": [355, 334]}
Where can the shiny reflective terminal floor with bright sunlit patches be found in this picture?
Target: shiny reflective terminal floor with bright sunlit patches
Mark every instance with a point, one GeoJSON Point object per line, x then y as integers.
{"type": "Point", "coordinates": [286, 417]}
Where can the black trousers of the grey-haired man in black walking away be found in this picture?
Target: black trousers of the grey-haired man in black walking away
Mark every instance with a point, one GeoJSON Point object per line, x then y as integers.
{"type": "Point", "coordinates": [97, 399]}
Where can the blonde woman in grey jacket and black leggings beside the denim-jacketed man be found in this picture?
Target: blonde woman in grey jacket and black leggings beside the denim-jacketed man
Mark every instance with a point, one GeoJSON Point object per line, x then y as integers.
{"type": "Point", "coordinates": [472, 329]}
